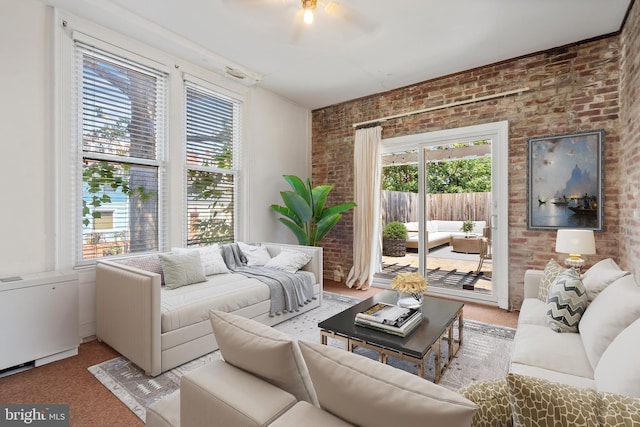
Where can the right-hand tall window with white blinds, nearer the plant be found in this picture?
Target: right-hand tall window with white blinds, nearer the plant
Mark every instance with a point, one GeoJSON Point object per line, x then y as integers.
{"type": "Point", "coordinates": [212, 133]}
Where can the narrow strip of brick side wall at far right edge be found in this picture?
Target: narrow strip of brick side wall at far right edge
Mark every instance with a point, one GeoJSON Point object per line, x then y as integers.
{"type": "Point", "coordinates": [630, 148]}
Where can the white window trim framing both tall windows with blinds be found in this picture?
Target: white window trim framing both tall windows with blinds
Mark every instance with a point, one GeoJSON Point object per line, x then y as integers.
{"type": "Point", "coordinates": [67, 188]}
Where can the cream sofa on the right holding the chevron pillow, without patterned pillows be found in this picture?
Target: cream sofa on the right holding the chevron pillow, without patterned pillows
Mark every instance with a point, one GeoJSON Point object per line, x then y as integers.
{"type": "Point", "coordinates": [604, 354]}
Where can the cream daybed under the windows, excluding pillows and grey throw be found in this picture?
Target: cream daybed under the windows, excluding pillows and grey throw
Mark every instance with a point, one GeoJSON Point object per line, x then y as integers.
{"type": "Point", "coordinates": [158, 328]}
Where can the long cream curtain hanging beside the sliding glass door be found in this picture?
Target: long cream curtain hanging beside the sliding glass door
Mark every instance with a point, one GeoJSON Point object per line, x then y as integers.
{"type": "Point", "coordinates": [366, 221]}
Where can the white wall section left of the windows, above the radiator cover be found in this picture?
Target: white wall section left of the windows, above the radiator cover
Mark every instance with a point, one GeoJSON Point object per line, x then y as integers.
{"type": "Point", "coordinates": [25, 141]}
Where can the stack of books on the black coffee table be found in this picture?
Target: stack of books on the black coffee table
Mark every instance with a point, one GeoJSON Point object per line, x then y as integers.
{"type": "Point", "coordinates": [389, 318]}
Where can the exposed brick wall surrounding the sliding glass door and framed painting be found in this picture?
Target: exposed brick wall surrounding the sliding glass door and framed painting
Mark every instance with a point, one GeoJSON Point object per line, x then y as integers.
{"type": "Point", "coordinates": [573, 88]}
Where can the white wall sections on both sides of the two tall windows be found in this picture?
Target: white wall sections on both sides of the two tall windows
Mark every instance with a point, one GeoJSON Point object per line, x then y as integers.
{"type": "Point", "coordinates": [277, 142]}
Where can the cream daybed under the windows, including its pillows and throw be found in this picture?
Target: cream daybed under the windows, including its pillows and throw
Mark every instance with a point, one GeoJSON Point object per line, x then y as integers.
{"type": "Point", "coordinates": [159, 326]}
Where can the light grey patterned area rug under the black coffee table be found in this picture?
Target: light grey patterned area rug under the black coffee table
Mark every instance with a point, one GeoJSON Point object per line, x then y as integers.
{"type": "Point", "coordinates": [484, 354]}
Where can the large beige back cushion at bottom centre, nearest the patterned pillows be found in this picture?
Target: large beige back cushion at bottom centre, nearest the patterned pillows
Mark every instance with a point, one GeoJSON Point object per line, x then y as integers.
{"type": "Point", "coordinates": [365, 392]}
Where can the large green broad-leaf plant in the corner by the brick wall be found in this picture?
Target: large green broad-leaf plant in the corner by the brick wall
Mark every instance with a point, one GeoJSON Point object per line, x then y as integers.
{"type": "Point", "coordinates": [305, 213]}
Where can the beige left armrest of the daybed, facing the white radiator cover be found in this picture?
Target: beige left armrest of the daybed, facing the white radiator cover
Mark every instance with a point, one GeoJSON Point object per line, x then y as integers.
{"type": "Point", "coordinates": [128, 313]}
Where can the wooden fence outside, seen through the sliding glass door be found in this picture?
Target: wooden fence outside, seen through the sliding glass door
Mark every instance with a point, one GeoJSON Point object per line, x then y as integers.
{"type": "Point", "coordinates": [403, 207]}
